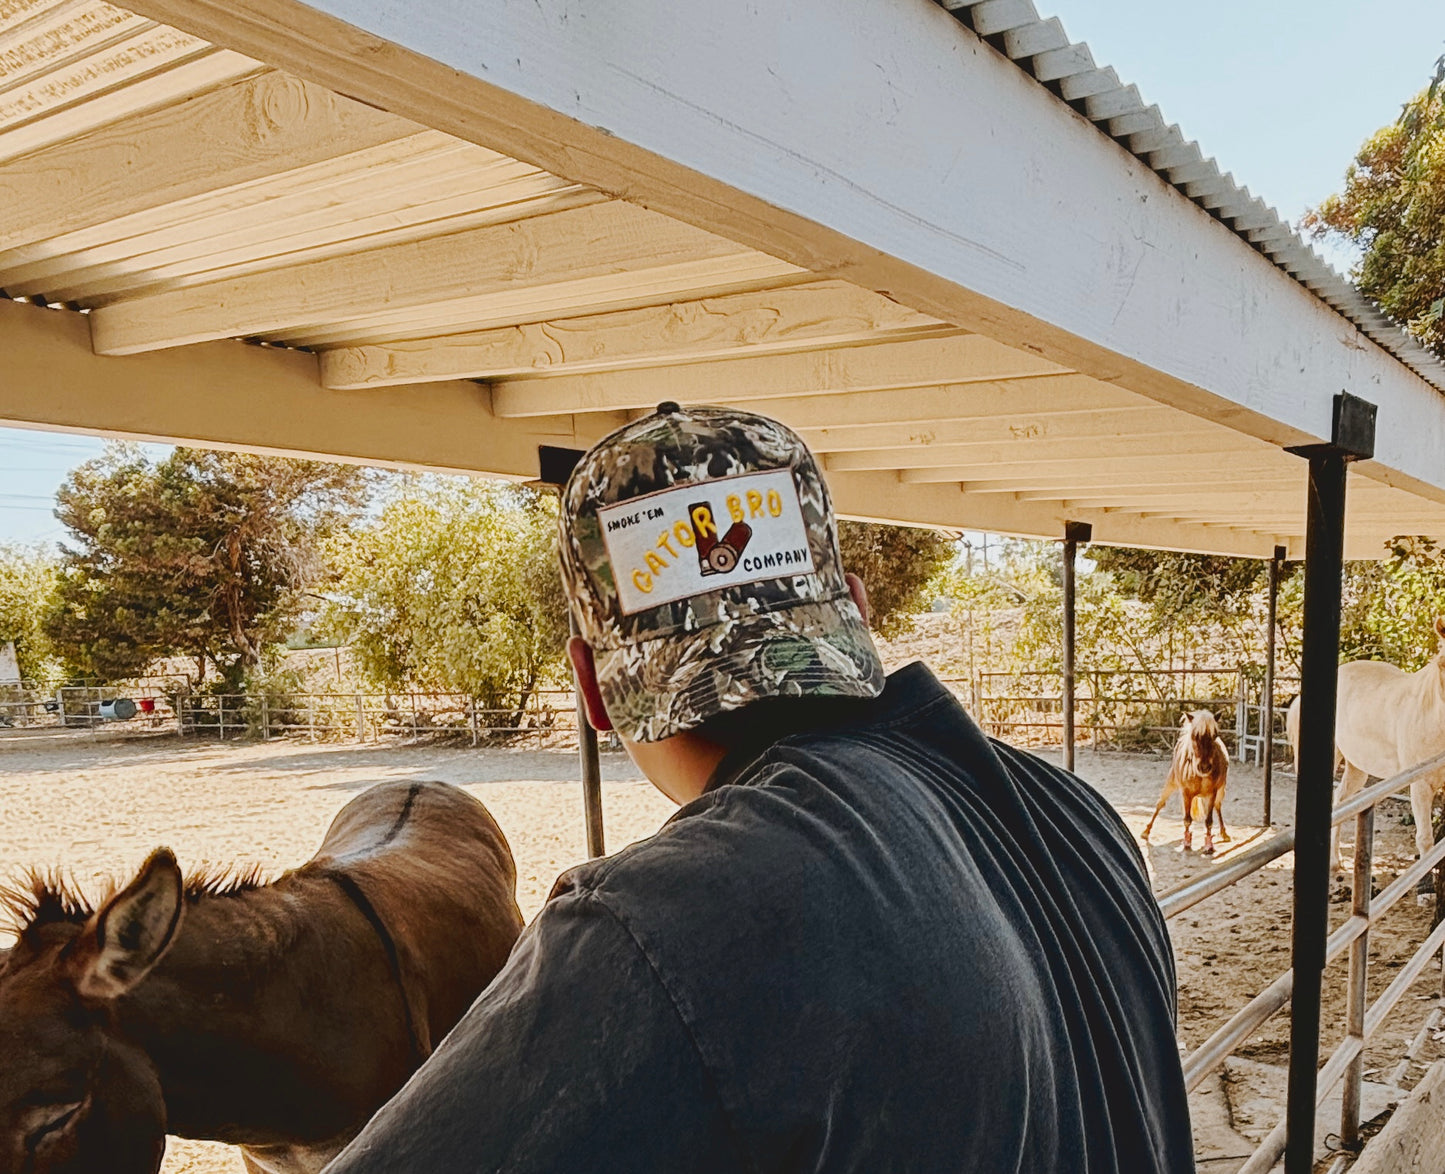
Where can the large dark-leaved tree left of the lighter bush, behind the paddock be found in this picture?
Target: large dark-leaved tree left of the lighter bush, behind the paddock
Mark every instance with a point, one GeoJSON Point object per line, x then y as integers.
{"type": "Point", "coordinates": [200, 554]}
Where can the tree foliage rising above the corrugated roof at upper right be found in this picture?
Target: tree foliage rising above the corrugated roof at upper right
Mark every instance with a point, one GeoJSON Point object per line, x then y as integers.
{"type": "Point", "coordinates": [1394, 210]}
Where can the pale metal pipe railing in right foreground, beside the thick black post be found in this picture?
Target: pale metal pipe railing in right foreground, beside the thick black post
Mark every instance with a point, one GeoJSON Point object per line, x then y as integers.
{"type": "Point", "coordinates": [1363, 1019]}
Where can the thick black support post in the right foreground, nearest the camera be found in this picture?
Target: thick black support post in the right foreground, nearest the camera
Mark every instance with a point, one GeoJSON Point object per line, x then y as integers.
{"type": "Point", "coordinates": [1352, 439]}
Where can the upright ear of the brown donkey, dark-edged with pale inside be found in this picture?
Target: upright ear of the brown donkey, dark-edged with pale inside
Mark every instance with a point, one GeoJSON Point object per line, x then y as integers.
{"type": "Point", "coordinates": [131, 933]}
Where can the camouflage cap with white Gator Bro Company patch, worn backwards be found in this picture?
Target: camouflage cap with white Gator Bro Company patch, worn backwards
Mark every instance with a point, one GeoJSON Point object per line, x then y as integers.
{"type": "Point", "coordinates": [702, 560]}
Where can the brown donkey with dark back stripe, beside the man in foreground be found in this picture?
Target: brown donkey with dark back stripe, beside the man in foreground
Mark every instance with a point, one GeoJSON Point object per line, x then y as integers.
{"type": "Point", "coordinates": [275, 1017]}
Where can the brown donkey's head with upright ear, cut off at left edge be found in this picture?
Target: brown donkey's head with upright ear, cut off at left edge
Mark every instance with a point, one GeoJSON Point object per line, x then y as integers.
{"type": "Point", "coordinates": [76, 1097]}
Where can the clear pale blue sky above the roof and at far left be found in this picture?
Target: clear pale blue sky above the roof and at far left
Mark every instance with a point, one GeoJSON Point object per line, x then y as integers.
{"type": "Point", "coordinates": [1281, 92]}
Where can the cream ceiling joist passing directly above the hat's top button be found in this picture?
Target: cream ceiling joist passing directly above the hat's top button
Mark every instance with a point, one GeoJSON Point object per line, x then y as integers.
{"type": "Point", "coordinates": [918, 364]}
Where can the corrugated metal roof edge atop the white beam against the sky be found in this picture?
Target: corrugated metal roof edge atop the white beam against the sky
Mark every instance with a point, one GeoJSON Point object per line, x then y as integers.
{"type": "Point", "coordinates": [1043, 50]}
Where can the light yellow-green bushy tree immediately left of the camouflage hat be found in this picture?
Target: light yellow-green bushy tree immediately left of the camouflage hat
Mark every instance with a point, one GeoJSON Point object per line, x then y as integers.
{"type": "Point", "coordinates": [454, 589]}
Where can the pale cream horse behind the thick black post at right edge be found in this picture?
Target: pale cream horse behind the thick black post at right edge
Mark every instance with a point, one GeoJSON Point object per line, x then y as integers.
{"type": "Point", "coordinates": [1386, 722]}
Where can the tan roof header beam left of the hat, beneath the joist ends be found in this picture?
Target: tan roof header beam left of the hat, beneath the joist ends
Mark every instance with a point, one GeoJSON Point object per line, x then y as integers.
{"type": "Point", "coordinates": [259, 400]}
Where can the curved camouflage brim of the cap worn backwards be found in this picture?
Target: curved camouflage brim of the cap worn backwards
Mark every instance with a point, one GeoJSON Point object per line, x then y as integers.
{"type": "Point", "coordinates": [665, 686]}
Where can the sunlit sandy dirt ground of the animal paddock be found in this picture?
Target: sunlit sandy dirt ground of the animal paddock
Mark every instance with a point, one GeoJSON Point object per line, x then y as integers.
{"type": "Point", "coordinates": [96, 805]}
